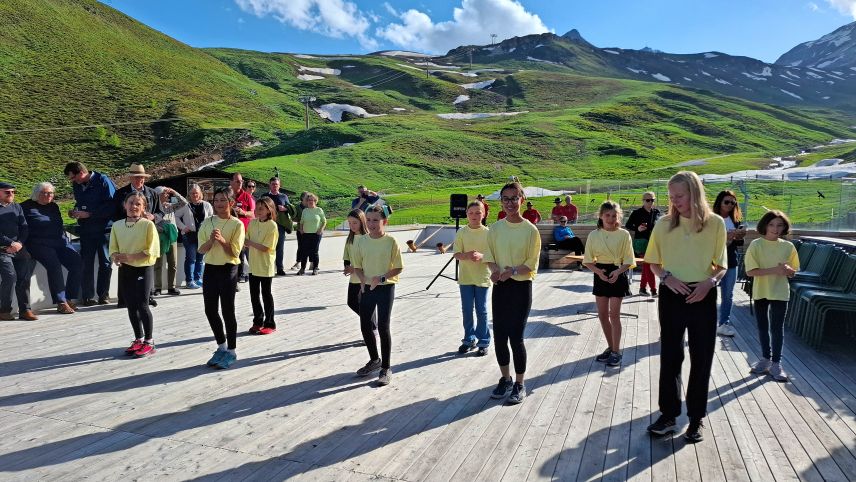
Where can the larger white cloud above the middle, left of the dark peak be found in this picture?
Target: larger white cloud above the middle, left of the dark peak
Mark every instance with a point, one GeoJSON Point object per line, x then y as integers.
{"type": "Point", "coordinates": [473, 23]}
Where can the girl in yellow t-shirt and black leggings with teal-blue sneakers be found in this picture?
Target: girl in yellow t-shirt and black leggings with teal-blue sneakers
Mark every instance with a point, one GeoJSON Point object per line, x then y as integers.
{"type": "Point", "coordinates": [221, 239]}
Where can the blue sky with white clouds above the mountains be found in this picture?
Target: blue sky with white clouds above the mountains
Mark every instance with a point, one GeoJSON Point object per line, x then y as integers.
{"type": "Point", "coordinates": [763, 29]}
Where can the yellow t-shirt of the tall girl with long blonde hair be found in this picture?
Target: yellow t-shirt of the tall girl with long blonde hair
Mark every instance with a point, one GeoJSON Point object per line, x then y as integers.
{"type": "Point", "coordinates": [689, 255]}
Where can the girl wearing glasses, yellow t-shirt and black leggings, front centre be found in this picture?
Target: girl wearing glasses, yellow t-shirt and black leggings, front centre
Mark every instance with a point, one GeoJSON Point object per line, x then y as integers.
{"type": "Point", "coordinates": [512, 254]}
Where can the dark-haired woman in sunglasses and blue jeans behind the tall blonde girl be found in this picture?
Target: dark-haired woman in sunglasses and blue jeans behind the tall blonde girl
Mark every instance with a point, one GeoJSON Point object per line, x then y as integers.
{"type": "Point", "coordinates": [727, 208]}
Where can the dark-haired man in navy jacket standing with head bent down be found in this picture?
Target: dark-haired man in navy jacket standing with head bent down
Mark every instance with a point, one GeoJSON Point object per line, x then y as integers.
{"type": "Point", "coordinates": [93, 210]}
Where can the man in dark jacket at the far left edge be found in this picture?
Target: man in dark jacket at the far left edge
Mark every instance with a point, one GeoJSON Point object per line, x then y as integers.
{"type": "Point", "coordinates": [16, 265]}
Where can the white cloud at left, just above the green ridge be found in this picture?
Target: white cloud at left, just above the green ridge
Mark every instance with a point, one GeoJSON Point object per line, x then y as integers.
{"type": "Point", "coordinates": [332, 18]}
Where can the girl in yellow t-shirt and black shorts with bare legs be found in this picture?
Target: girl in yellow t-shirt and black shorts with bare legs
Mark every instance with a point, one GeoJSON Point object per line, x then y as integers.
{"type": "Point", "coordinates": [609, 254]}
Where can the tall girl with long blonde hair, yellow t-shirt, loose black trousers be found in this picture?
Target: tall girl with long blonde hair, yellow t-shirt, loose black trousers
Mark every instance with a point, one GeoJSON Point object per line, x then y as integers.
{"type": "Point", "coordinates": [687, 252]}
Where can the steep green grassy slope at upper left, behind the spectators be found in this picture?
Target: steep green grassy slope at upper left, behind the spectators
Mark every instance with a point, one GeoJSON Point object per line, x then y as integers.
{"type": "Point", "coordinates": [69, 63]}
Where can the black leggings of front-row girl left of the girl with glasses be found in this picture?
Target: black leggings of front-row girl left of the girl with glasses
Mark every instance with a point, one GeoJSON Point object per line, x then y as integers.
{"type": "Point", "coordinates": [381, 299]}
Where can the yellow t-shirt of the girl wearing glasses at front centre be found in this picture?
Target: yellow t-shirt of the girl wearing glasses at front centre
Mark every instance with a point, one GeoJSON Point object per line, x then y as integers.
{"type": "Point", "coordinates": [513, 244]}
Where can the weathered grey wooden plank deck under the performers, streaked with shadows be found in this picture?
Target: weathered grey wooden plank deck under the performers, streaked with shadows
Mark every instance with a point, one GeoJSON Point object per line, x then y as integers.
{"type": "Point", "coordinates": [73, 407]}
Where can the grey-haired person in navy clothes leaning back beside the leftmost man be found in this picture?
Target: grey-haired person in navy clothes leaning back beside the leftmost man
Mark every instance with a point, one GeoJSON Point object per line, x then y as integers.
{"type": "Point", "coordinates": [49, 245]}
